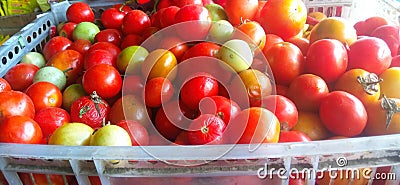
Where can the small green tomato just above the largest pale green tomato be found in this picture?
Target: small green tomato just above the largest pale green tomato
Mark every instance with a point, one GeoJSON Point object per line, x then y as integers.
{"type": "Point", "coordinates": [221, 31]}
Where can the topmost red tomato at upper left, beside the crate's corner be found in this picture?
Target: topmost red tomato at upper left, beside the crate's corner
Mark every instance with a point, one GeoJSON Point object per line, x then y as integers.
{"type": "Point", "coordinates": [80, 12]}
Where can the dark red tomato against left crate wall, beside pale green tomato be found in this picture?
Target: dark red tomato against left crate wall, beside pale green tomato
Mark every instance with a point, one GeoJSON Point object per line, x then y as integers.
{"type": "Point", "coordinates": [21, 76]}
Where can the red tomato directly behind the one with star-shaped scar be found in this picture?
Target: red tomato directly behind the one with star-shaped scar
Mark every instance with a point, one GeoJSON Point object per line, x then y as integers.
{"type": "Point", "coordinates": [220, 106]}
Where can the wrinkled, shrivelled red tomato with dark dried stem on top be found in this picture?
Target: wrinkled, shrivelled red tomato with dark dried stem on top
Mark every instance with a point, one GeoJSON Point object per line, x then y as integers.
{"type": "Point", "coordinates": [90, 110]}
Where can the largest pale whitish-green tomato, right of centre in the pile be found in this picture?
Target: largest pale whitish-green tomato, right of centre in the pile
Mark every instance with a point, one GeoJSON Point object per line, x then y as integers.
{"type": "Point", "coordinates": [237, 54]}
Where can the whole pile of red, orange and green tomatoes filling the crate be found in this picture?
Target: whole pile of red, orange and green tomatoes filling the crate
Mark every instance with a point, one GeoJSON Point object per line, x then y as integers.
{"type": "Point", "coordinates": [205, 72]}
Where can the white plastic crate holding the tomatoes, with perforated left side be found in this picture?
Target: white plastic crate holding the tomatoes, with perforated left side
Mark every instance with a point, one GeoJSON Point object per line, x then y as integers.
{"type": "Point", "coordinates": [218, 164]}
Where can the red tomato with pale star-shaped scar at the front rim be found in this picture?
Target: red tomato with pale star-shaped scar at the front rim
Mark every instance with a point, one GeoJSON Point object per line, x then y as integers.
{"type": "Point", "coordinates": [206, 129]}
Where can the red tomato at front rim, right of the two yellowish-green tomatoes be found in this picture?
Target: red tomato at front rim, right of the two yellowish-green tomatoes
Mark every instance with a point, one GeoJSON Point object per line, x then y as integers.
{"type": "Point", "coordinates": [137, 132]}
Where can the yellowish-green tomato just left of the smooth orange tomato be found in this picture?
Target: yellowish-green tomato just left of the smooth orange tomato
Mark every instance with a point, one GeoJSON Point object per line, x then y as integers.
{"type": "Point", "coordinates": [132, 56]}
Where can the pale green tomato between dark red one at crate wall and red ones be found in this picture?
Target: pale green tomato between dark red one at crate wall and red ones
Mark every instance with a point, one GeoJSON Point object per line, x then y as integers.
{"type": "Point", "coordinates": [51, 74]}
